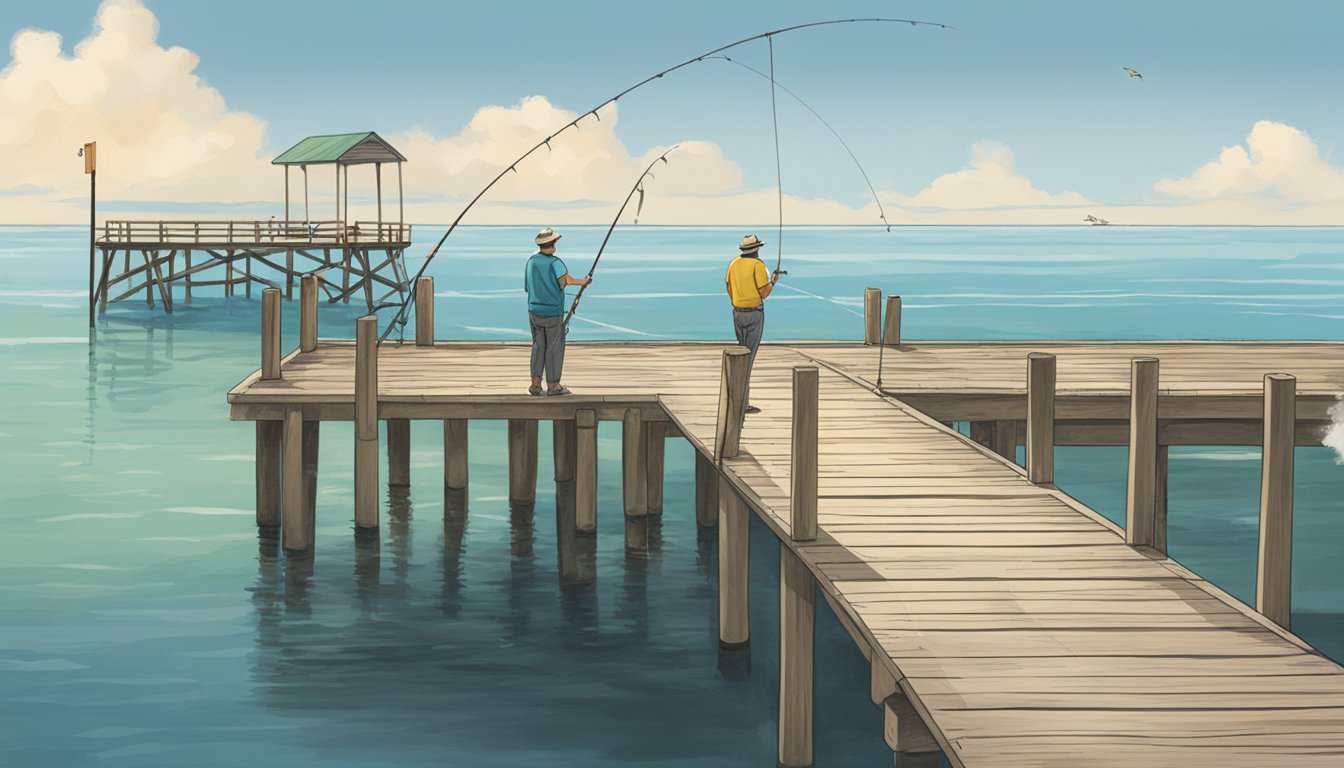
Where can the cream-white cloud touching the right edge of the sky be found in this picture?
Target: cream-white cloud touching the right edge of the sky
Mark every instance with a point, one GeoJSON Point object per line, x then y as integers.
{"type": "Point", "coordinates": [1277, 163]}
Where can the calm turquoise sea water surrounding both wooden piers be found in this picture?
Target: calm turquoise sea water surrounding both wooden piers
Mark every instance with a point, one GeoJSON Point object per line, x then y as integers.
{"type": "Point", "coordinates": [146, 622]}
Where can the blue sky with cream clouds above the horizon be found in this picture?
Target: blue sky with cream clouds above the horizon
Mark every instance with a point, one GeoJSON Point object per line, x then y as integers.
{"type": "Point", "coordinates": [1022, 114]}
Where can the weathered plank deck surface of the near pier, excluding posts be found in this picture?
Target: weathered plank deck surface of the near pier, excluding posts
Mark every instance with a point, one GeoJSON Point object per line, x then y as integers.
{"type": "Point", "coordinates": [1017, 621]}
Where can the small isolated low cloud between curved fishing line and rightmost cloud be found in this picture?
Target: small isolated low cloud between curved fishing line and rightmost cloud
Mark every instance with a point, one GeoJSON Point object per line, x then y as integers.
{"type": "Point", "coordinates": [989, 182]}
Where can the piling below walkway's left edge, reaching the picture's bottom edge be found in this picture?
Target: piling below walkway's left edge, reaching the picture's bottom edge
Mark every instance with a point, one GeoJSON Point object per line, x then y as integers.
{"type": "Point", "coordinates": [798, 631]}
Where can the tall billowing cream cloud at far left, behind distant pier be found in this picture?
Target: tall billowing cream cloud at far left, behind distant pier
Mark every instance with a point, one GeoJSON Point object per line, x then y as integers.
{"type": "Point", "coordinates": [162, 132]}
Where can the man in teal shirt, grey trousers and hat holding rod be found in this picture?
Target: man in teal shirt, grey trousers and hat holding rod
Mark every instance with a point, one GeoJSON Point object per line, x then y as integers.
{"type": "Point", "coordinates": [545, 280]}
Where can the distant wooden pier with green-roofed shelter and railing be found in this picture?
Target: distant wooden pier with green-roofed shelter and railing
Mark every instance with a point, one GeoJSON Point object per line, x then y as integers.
{"type": "Point", "coordinates": [364, 258]}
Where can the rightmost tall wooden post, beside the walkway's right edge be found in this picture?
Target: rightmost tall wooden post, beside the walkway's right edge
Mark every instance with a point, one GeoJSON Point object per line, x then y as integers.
{"type": "Point", "coordinates": [1275, 568]}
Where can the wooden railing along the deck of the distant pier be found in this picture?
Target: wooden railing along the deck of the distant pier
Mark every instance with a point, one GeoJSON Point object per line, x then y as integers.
{"type": "Point", "coordinates": [253, 232]}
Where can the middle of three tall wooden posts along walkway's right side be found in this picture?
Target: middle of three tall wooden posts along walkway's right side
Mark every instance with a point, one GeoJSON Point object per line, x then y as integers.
{"type": "Point", "coordinates": [1142, 486]}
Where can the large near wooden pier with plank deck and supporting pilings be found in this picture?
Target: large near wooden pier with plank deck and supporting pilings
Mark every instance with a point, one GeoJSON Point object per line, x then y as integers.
{"type": "Point", "coordinates": [1006, 623]}
